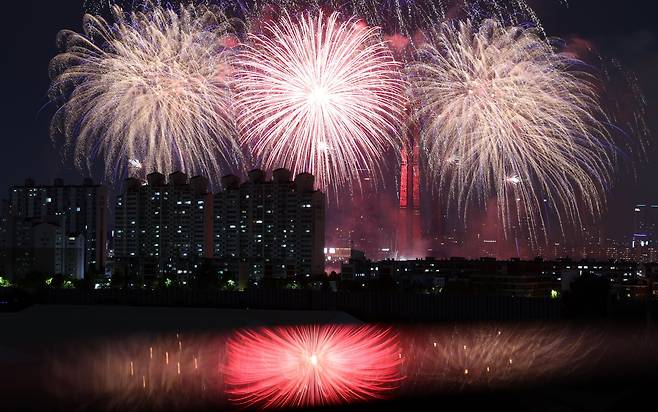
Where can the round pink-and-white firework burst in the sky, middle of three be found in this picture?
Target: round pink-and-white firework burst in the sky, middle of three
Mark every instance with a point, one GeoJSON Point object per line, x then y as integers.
{"type": "Point", "coordinates": [319, 95]}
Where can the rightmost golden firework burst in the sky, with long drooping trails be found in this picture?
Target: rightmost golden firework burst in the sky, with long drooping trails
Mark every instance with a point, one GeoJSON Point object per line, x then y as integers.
{"type": "Point", "coordinates": [505, 116]}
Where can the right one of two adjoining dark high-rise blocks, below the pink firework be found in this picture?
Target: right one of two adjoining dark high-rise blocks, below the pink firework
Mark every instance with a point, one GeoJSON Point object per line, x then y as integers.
{"type": "Point", "coordinates": [270, 228]}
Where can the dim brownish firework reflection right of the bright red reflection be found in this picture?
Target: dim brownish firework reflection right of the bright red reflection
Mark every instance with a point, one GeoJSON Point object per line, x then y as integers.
{"type": "Point", "coordinates": [494, 357]}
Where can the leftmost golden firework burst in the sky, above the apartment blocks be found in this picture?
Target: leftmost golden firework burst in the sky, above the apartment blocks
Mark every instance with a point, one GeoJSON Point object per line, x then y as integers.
{"type": "Point", "coordinates": [152, 88]}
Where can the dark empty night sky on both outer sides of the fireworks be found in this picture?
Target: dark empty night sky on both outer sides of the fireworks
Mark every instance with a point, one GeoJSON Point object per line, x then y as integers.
{"type": "Point", "coordinates": [624, 30]}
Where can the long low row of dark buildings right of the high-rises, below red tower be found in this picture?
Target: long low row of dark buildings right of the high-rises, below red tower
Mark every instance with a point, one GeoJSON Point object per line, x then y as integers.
{"type": "Point", "coordinates": [490, 277]}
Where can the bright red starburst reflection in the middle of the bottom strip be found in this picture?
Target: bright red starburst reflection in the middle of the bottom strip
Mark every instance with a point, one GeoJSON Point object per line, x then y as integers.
{"type": "Point", "coordinates": [312, 365]}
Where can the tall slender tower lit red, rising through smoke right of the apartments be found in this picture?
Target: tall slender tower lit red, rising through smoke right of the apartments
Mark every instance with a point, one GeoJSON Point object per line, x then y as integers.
{"type": "Point", "coordinates": [408, 238]}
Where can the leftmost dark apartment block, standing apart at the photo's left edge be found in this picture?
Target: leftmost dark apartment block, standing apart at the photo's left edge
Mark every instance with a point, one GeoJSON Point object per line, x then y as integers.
{"type": "Point", "coordinates": [76, 211]}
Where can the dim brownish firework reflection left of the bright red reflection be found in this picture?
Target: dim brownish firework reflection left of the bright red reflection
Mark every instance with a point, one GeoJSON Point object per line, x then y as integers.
{"type": "Point", "coordinates": [137, 373]}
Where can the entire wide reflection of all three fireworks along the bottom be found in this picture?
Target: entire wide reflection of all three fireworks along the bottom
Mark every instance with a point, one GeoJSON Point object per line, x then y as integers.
{"type": "Point", "coordinates": [319, 365]}
